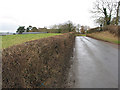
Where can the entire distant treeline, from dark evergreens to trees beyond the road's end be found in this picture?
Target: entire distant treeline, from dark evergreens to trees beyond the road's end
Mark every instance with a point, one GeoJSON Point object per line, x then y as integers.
{"type": "Point", "coordinates": [57, 28]}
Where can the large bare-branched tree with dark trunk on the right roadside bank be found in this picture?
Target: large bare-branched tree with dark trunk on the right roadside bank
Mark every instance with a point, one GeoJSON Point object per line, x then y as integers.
{"type": "Point", "coordinates": [104, 10]}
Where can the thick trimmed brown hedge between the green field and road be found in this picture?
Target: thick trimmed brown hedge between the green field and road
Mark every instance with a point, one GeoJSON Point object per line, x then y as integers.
{"type": "Point", "coordinates": [38, 62]}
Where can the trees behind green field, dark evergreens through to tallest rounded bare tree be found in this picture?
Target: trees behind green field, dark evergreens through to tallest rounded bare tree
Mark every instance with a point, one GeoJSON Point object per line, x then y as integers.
{"type": "Point", "coordinates": [61, 28]}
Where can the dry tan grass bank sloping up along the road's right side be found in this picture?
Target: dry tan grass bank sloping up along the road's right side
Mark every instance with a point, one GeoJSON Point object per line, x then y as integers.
{"type": "Point", "coordinates": [105, 36]}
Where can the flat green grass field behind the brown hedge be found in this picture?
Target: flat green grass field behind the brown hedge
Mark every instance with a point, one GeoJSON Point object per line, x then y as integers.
{"type": "Point", "coordinates": [11, 40]}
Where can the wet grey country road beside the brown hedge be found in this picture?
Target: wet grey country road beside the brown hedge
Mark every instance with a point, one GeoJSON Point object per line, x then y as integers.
{"type": "Point", "coordinates": [95, 64]}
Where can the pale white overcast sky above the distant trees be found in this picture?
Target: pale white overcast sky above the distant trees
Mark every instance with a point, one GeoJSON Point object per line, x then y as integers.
{"type": "Point", "coordinates": [40, 13]}
